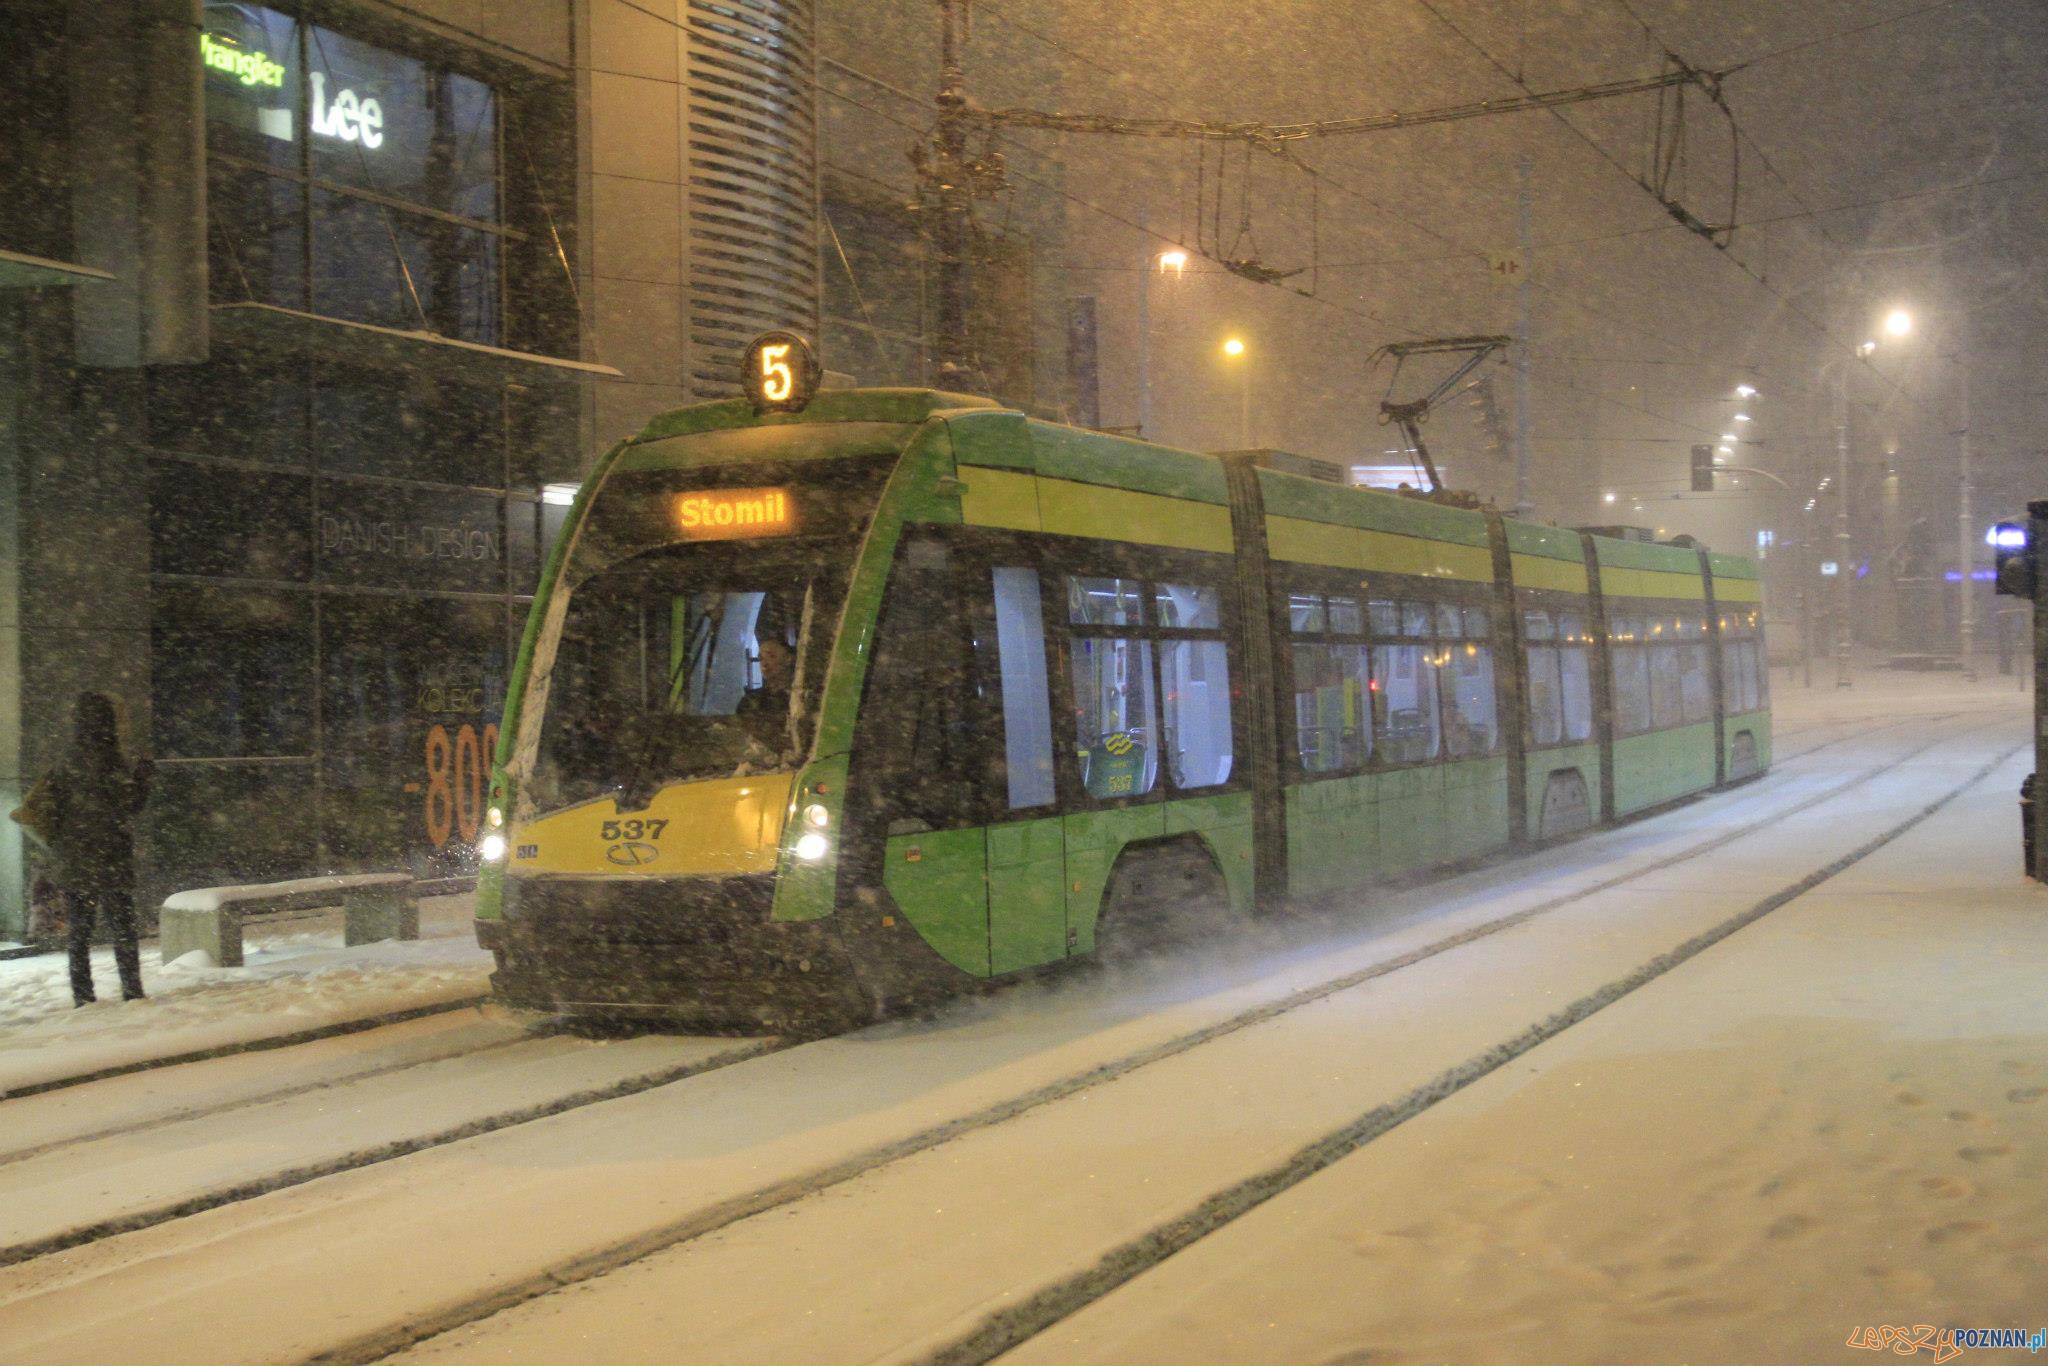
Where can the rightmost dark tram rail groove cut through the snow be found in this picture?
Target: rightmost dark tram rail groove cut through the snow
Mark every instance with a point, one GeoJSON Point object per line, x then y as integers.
{"type": "Point", "coordinates": [1013, 1328]}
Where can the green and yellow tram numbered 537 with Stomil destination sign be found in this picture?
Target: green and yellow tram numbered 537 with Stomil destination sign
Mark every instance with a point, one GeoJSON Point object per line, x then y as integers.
{"type": "Point", "coordinates": [837, 710]}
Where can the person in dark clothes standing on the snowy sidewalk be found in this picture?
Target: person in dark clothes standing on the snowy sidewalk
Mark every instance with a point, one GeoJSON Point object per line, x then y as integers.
{"type": "Point", "coordinates": [85, 814]}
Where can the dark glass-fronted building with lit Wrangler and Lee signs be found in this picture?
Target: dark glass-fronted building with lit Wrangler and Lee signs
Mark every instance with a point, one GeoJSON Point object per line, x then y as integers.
{"type": "Point", "coordinates": [310, 321]}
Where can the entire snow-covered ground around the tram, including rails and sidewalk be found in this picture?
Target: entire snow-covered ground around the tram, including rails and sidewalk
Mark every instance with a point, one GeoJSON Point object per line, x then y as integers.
{"type": "Point", "coordinates": [1760, 1078]}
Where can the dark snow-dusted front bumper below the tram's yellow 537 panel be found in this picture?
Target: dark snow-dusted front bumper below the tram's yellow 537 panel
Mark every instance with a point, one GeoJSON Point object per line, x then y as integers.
{"type": "Point", "coordinates": [683, 949]}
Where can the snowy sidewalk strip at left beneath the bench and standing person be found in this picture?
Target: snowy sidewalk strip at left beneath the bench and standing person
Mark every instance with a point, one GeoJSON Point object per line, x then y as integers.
{"type": "Point", "coordinates": [298, 978]}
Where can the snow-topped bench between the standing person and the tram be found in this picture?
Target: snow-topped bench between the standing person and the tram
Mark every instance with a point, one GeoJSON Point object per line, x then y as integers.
{"type": "Point", "coordinates": [376, 906]}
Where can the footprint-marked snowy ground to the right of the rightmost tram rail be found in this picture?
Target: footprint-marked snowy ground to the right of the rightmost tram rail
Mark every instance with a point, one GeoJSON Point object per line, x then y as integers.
{"type": "Point", "coordinates": [1830, 1121]}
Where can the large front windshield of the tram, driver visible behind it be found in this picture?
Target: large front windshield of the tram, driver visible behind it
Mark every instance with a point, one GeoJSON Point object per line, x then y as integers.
{"type": "Point", "coordinates": [689, 663]}
